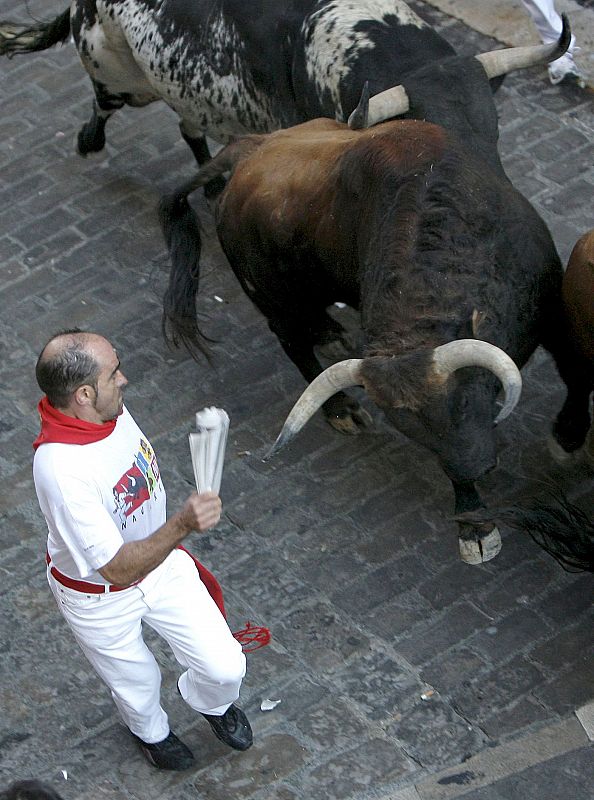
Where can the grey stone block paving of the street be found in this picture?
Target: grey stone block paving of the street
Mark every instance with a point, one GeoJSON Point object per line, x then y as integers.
{"type": "Point", "coordinates": [402, 672]}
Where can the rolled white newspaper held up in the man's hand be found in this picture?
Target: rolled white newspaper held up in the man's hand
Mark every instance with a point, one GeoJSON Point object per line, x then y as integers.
{"type": "Point", "coordinates": [207, 447]}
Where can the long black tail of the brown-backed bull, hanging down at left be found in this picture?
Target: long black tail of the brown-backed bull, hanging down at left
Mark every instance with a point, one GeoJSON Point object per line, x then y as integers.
{"type": "Point", "coordinates": [181, 230]}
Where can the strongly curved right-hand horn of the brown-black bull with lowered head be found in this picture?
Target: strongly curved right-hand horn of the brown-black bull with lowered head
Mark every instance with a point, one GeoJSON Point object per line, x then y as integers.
{"type": "Point", "coordinates": [475, 353]}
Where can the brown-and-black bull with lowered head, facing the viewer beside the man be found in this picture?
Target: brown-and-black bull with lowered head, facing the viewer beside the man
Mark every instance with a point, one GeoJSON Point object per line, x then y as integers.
{"type": "Point", "coordinates": [414, 223]}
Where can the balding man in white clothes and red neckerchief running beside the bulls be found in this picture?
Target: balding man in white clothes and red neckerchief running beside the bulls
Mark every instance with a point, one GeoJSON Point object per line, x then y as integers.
{"type": "Point", "coordinates": [114, 559]}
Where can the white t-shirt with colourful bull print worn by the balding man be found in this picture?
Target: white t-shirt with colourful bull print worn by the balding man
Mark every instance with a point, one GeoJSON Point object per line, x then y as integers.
{"type": "Point", "coordinates": [95, 497]}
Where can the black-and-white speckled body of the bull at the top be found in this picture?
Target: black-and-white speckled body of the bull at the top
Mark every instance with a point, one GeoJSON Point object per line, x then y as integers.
{"type": "Point", "coordinates": [228, 68]}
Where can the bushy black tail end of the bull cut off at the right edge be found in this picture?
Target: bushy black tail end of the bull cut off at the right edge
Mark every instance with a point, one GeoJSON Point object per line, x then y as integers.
{"type": "Point", "coordinates": [556, 525]}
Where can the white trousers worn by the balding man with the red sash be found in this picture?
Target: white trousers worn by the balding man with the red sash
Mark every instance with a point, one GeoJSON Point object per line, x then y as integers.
{"type": "Point", "coordinates": [175, 603]}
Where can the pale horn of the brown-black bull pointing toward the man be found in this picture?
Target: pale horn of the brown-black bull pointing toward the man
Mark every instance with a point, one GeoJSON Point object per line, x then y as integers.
{"type": "Point", "coordinates": [336, 377]}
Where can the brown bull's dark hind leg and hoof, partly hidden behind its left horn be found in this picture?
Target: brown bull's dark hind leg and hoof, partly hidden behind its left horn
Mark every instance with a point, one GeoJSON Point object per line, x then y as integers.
{"type": "Point", "coordinates": [340, 410]}
